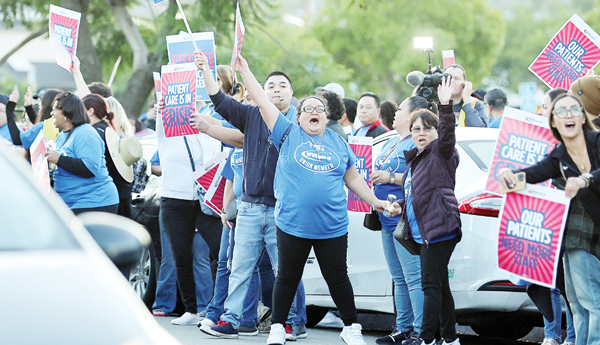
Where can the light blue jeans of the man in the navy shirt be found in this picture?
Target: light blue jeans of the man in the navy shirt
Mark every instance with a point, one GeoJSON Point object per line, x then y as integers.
{"type": "Point", "coordinates": [256, 230]}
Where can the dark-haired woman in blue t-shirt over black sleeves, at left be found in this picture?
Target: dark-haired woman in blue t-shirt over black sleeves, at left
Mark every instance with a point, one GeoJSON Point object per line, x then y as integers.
{"type": "Point", "coordinates": [81, 177]}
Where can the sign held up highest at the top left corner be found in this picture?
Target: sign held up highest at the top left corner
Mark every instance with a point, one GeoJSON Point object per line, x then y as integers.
{"type": "Point", "coordinates": [64, 30]}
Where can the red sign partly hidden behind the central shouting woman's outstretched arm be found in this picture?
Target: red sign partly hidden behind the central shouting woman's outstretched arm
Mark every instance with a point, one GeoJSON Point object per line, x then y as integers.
{"type": "Point", "coordinates": [363, 150]}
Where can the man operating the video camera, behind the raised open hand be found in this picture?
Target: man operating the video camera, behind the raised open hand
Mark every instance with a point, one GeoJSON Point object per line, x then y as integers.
{"type": "Point", "coordinates": [468, 110]}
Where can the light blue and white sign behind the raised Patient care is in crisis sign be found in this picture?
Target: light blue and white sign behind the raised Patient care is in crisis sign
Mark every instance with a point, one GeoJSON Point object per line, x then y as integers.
{"type": "Point", "coordinates": [181, 50]}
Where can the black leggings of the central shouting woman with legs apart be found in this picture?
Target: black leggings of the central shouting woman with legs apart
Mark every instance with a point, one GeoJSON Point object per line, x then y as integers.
{"type": "Point", "coordinates": [331, 254]}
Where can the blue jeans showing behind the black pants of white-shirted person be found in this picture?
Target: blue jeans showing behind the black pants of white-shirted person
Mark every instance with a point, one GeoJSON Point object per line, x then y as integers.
{"type": "Point", "coordinates": [166, 286]}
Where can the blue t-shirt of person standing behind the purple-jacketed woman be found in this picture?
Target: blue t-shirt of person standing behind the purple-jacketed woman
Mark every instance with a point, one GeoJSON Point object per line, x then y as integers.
{"type": "Point", "coordinates": [394, 163]}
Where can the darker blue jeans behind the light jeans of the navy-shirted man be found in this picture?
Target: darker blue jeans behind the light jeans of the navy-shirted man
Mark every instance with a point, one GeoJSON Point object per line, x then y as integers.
{"type": "Point", "coordinates": [216, 306]}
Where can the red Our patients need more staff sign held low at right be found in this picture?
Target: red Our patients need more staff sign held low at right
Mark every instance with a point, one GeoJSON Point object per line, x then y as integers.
{"type": "Point", "coordinates": [531, 231]}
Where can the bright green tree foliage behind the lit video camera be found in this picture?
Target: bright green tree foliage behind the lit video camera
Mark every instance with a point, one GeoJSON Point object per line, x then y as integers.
{"type": "Point", "coordinates": [374, 39]}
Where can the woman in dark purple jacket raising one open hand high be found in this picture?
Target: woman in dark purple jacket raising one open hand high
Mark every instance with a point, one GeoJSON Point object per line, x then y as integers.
{"type": "Point", "coordinates": [431, 212]}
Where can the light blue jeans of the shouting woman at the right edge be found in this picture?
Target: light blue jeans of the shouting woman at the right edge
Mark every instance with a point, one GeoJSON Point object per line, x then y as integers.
{"type": "Point", "coordinates": [582, 280]}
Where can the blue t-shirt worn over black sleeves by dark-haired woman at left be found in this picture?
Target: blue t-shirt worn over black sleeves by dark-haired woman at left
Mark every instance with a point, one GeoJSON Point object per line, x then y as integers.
{"type": "Point", "coordinates": [84, 192]}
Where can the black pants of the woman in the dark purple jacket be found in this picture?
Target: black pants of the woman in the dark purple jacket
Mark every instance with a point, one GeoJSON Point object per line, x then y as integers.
{"type": "Point", "coordinates": [438, 306]}
